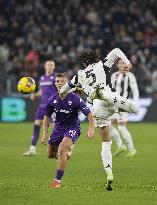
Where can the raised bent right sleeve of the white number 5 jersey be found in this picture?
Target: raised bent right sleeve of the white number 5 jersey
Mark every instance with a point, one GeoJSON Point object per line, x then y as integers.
{"type": "Point", "coordinates": [113, 55]}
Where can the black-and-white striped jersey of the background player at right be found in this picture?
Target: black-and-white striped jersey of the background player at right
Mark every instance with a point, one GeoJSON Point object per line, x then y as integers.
{"type": "Point", "coordinates": [125, 84]}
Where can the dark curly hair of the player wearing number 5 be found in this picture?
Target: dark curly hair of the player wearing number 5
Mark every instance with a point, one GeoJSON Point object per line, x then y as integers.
{"type": "Point", "coordinates": [88, 57]}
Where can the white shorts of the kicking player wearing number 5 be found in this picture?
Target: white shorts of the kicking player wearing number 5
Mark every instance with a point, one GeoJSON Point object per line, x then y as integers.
{"type": "Point", "coordinates": [102, 111]}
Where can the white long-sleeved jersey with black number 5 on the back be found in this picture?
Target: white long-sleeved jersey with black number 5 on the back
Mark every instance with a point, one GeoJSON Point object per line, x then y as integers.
{"type": "Point", "coordinates": [96, 75]}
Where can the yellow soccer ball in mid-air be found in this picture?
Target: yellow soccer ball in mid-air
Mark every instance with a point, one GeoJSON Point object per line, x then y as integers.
{"type": "Point", "coordinates": [26, 85]}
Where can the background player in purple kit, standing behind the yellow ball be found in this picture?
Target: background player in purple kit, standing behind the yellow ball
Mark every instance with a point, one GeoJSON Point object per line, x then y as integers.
{"type": "Point", "coordinates": [47, 89]}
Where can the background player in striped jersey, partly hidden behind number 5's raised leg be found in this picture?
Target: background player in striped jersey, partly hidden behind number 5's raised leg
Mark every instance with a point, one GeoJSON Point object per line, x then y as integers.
{"type": "Point", "coordinates": [125, 84]}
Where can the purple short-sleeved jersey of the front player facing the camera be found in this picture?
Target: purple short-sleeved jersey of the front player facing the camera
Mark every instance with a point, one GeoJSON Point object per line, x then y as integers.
{"type": "Point", "coordinates": [66, 110]}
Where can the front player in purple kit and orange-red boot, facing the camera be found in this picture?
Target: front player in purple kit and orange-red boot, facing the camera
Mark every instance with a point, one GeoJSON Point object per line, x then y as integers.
{"type": "Point", "coordinates": [67, 126]}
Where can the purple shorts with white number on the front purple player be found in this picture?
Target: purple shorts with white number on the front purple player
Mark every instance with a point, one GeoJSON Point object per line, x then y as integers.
{"type": "Point", "coordinates": [58, 134]}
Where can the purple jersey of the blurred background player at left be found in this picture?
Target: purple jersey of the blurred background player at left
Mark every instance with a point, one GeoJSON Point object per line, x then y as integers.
{"type": "Point", "coordinates": [48, 88]}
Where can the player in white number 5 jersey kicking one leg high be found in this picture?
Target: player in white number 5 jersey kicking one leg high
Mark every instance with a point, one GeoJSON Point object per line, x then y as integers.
{"type": "Point", "coordinates": [95, 81]}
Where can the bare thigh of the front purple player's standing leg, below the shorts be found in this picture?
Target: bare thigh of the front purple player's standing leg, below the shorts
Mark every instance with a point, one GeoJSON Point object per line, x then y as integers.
{"type": "Point", "coordinates": [65, 144]}
